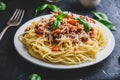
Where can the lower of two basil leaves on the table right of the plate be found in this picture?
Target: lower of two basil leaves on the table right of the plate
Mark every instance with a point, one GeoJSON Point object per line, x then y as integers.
{"type": "Point", "coordinates": [108, 24]}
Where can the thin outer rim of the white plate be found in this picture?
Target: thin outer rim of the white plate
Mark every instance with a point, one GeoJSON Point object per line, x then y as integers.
{"type": "Point", "coordinates": [50, 65]}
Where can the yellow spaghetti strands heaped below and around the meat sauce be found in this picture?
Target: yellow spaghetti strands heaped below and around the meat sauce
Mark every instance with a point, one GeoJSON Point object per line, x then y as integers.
{"type": "Point", "coordinates": [69, 53]}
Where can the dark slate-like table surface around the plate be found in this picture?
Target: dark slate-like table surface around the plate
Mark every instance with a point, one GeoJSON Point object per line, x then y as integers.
{"type": "Point", "coordinates": [14, 67]}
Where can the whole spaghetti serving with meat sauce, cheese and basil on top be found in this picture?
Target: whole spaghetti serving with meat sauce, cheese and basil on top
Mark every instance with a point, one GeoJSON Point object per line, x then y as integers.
{"type": "Point", "coordinates": [69, 40]}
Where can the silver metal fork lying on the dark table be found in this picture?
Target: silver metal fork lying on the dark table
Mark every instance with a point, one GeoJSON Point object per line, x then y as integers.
{"type": "Point", "coordinates": [15, 20]}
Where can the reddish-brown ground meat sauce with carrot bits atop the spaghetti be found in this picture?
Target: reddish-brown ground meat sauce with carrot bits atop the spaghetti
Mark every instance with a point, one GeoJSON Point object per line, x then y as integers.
{"type": "Point", "coordinates": [69, 27]}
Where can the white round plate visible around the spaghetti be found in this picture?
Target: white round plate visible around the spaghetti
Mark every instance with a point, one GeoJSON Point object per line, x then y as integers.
{"type": "Point", "coordinates": [23, 52]}
